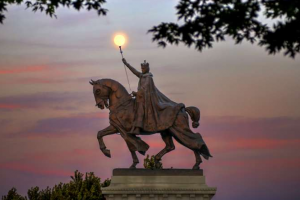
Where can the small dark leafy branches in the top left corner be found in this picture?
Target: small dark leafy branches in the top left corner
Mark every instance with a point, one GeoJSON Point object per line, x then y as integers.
{"type": "Point", "coordinates": [50, 6]}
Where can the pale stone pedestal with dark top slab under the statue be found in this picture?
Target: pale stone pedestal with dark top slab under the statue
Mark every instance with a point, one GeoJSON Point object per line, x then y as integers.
{"type": "Point", "coordinates": [165, 184]}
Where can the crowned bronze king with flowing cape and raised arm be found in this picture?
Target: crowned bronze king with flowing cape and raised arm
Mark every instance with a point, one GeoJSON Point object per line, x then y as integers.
{"type": "Point", "coordinates": [153, 111]}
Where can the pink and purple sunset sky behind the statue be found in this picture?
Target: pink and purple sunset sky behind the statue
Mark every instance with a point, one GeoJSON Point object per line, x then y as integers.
{"type": "Point", "coordinates": [249, 101]}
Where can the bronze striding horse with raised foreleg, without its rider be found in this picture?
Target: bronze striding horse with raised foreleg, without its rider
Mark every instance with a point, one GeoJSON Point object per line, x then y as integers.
{"type": "Point", "coordinates": [111, 94]}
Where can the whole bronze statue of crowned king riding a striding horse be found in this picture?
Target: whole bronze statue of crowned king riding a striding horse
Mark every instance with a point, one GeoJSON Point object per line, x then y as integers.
{"type": "Point", "coordinates": [146, 112]}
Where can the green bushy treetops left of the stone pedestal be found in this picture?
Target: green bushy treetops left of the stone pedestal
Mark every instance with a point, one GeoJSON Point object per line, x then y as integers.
{"type": "Point", "coordinates": [79, 188]}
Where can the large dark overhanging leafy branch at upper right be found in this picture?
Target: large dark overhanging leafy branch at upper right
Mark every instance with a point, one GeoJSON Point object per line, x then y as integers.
{"type": "Point", "coordinates": [202, 22]}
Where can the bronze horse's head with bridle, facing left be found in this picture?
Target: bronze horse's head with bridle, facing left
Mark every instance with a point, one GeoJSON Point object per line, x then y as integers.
{"type": "Point", "coordinates": [101, 94]}
